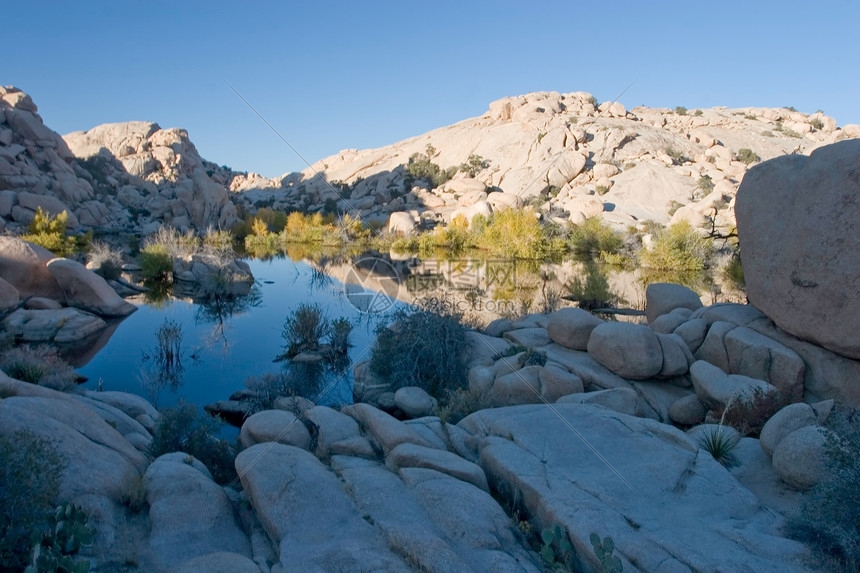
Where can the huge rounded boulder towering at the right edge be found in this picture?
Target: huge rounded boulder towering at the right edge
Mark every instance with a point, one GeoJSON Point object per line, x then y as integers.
{"type": "Point", "coordinates": [799, 230]}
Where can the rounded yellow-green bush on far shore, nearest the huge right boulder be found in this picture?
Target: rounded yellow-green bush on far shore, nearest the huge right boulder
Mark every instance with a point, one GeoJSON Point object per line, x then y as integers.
{"type": "Point", "coordinates": [678, 247]}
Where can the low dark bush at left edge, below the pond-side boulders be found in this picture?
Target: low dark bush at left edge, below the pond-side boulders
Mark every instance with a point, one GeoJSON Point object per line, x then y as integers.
{"type": "Point", "coordinates": [38, 365]}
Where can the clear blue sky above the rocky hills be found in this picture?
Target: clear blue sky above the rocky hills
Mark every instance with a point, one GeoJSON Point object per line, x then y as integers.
{"type": "Point", "coordinates": [336, 75]}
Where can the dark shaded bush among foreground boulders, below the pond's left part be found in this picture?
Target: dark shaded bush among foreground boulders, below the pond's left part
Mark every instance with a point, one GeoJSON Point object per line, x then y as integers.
{"type": "Point", "coordinates": [182, 428]}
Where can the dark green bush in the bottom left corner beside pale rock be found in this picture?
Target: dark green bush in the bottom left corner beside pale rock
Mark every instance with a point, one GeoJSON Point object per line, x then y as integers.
{"type": "Point", "coordinates": [30, 473]}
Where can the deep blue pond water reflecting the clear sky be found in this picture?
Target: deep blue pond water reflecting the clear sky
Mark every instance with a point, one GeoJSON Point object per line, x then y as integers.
{"type": "Point", "coordinates": [245, 347]}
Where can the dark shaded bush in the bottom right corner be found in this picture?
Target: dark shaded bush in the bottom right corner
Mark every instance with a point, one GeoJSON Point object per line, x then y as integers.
{"type": "Point", "coordinates": [830, 518]}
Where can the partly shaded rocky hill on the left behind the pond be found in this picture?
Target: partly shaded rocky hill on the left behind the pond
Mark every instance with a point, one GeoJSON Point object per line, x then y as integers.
{"type": "Point", "coordinates": [130, 176]}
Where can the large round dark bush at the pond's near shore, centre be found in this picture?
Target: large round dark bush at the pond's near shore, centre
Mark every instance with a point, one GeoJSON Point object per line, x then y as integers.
{"type": "Point", "coordinates": [424, 349]}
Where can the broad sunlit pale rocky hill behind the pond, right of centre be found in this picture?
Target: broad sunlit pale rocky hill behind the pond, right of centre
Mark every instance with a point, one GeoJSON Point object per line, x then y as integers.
{"type": "Point", "coordinates": [577, 157]}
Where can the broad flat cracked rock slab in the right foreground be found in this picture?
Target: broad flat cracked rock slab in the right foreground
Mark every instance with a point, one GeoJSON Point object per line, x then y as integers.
{"type": "Point", "coordinates": [667, 505]}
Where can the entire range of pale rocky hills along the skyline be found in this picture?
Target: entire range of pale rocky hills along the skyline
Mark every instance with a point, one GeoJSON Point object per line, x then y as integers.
{"type": "Point", "coordinates": [565, 153]}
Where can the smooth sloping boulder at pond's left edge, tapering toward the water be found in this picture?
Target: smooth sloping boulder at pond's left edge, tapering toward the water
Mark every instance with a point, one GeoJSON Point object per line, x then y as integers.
{"type": "Point", "coordinates": [86, 290]}
